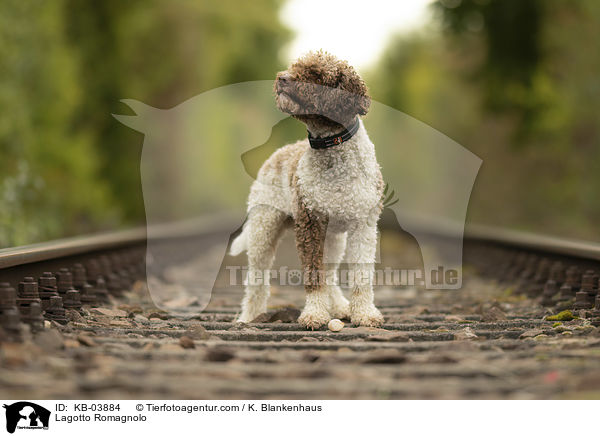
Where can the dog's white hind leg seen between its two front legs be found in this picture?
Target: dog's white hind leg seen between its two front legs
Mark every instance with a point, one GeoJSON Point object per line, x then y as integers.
{"type": "Point", "coordinates": [335, 246]}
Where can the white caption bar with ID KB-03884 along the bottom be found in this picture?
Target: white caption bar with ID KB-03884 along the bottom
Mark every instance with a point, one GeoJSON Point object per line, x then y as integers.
{"type": "Point", "coordinates": [291, 417]}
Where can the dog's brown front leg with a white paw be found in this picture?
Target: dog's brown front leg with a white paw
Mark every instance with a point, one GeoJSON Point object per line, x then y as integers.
{"type": "Point", "coordinates": [311, 228]}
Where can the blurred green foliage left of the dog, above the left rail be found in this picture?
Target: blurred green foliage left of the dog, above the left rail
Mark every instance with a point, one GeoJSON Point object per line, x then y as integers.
{"type": "Point", "coordinates": [66, 165]}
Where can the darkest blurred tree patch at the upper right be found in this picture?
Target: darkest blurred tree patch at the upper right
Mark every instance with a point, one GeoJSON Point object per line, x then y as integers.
{"type": "Point", "coordinates": [510, 32]}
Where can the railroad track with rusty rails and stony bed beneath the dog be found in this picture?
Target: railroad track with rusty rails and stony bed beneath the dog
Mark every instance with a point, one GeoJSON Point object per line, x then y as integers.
{"type": "Point", "coordinates": [105, 338]}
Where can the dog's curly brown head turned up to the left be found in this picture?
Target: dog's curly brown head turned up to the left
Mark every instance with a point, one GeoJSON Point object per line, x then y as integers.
{"type": "Point", "coordinates": [321, 89]}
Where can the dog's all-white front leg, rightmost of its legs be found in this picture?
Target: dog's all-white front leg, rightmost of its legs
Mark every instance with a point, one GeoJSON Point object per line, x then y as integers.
{"type": "Point", "coordinates": [362, 246]}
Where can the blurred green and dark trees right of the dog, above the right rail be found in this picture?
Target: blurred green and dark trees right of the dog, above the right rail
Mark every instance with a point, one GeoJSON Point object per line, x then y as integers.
{"type": "Point", "coordinates": [517, 83]}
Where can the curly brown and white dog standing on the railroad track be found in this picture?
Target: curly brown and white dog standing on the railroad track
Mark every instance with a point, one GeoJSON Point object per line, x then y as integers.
{"type": "Point", "coordinates": [328, 188]}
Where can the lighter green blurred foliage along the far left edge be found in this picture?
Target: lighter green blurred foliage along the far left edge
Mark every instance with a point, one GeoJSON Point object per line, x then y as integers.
{"type": "Point", "coordinates": [49, 175]}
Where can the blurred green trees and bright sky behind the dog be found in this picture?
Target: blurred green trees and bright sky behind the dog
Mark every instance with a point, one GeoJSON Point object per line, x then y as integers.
{"type": "Point", "coordinates": [514, 81]}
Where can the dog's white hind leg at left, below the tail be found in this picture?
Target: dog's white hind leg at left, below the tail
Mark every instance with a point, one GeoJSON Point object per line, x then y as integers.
{"type": "Point", "coordinates": [263, 230]}
